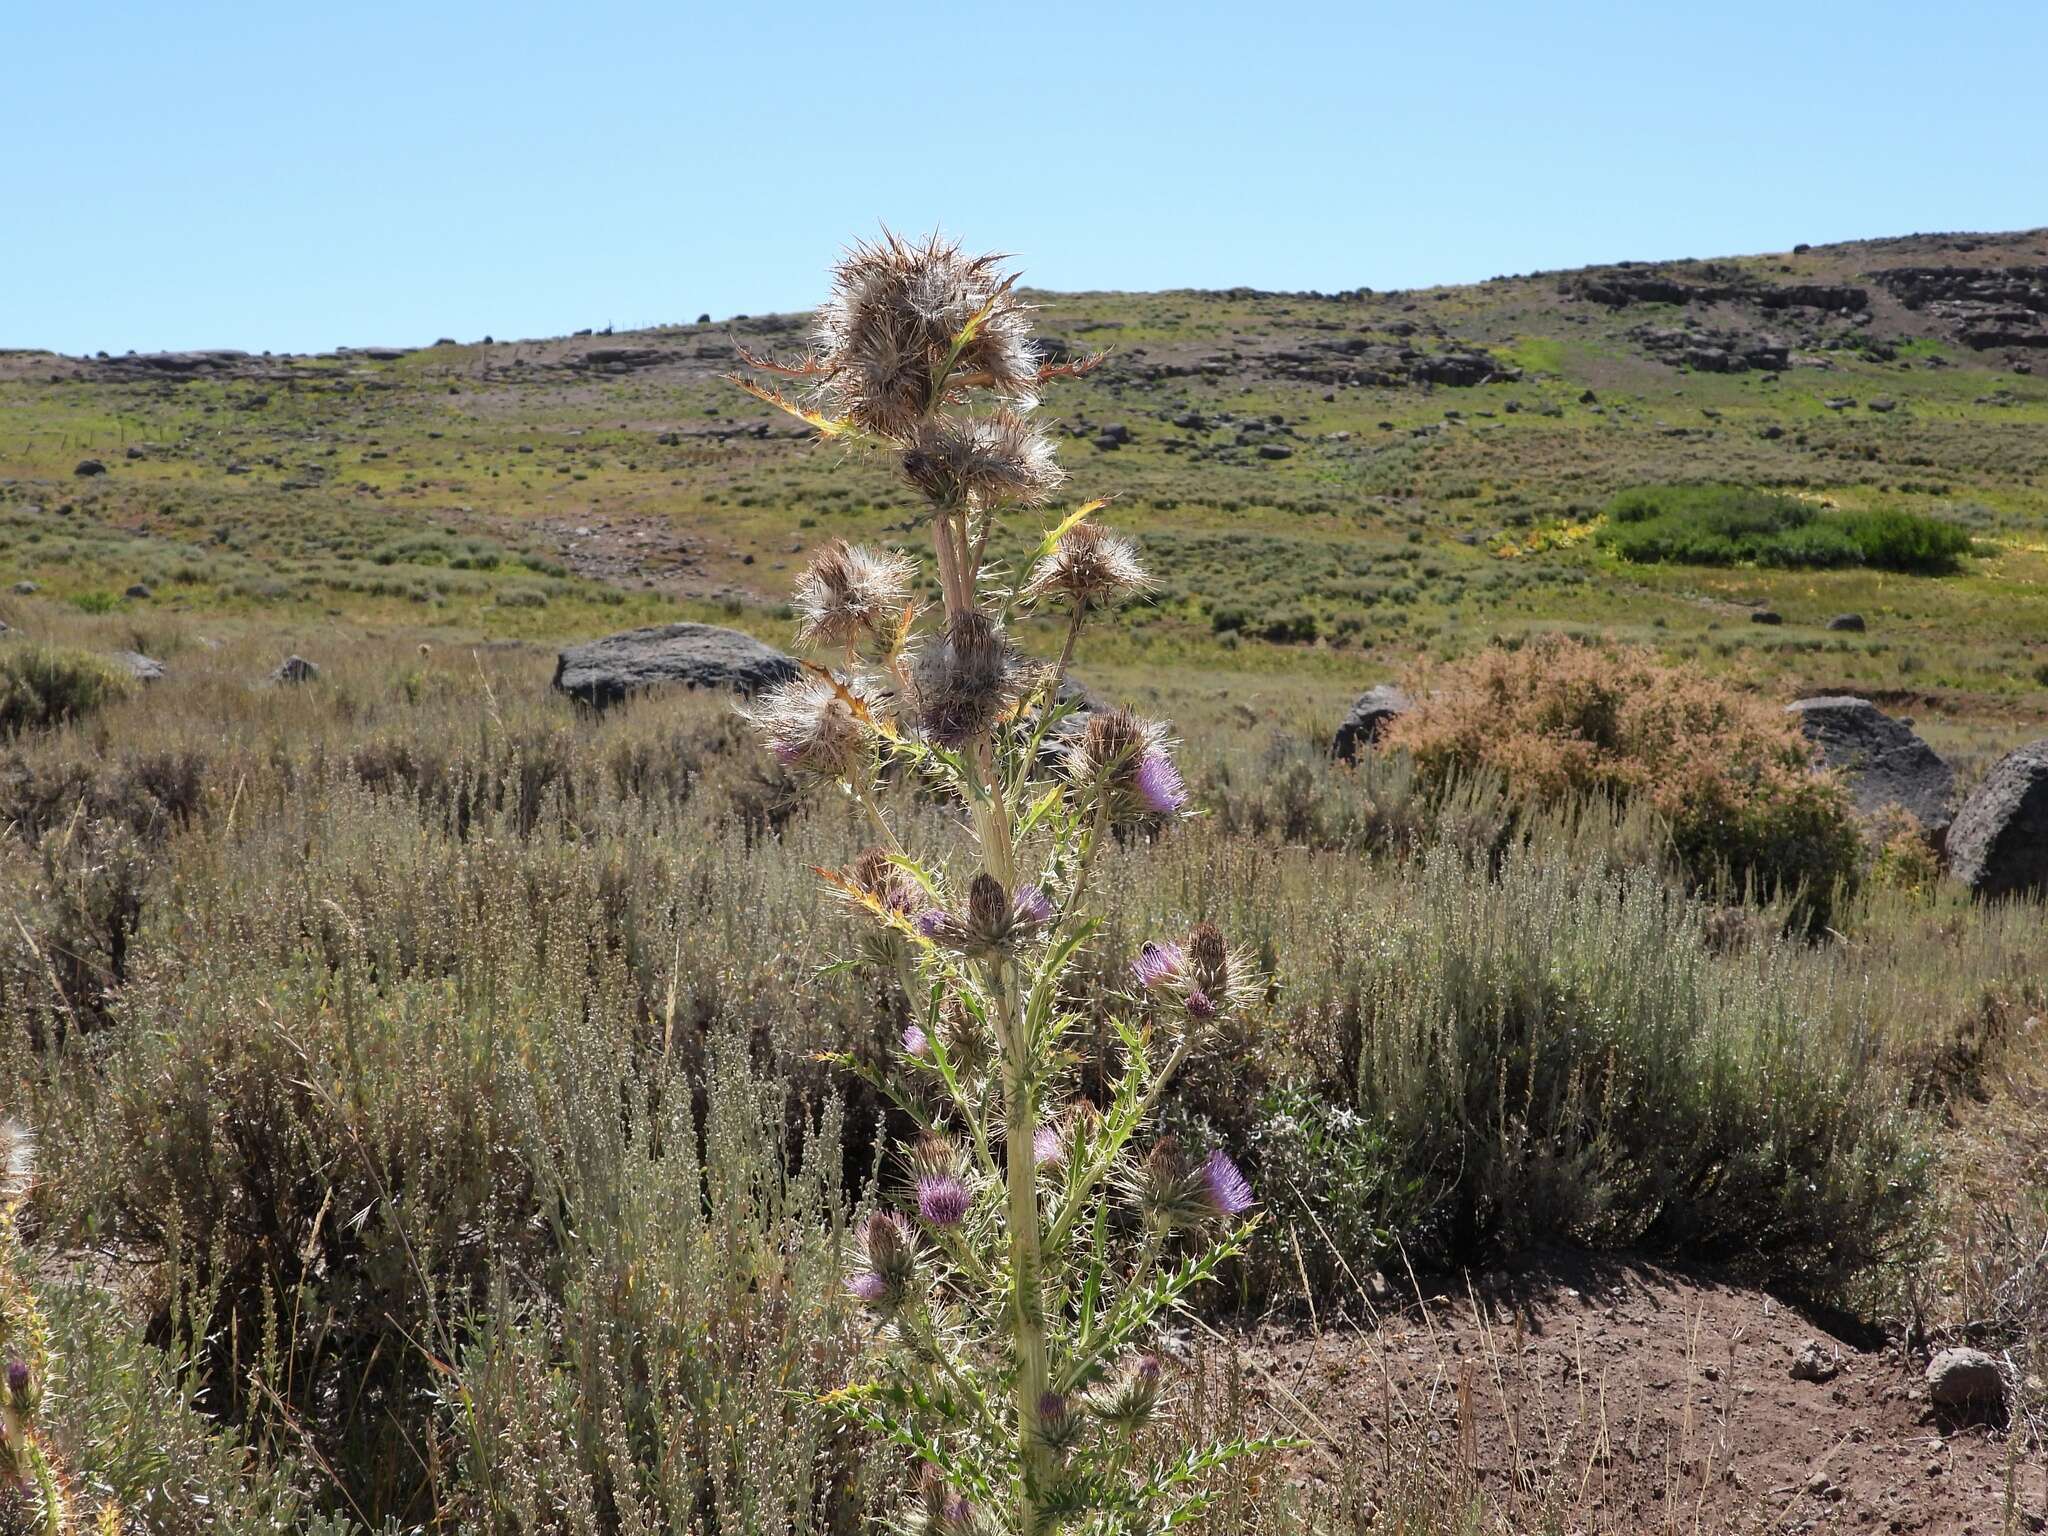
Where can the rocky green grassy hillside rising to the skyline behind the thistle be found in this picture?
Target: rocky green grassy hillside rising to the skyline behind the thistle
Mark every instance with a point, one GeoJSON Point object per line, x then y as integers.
{"type": "Point", "coordinates": [1328, 484]}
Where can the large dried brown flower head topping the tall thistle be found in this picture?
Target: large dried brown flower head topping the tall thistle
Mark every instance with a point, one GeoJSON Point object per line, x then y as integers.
{"type": "Point", "coordinates": [896, 314]}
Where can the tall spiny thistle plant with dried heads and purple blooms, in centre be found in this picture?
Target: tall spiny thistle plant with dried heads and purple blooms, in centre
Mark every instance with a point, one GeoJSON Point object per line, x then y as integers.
{"type": "Point", "coordinates": [1035, 1246]}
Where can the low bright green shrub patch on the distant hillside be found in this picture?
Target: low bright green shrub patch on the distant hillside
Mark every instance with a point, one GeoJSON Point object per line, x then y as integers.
{"type": "Point", "coordinates": [1730, 525]}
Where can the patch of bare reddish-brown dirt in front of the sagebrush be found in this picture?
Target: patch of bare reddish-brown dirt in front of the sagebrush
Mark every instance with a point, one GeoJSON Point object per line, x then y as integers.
{"type": "Point", "coordinates": [1609, 1396]}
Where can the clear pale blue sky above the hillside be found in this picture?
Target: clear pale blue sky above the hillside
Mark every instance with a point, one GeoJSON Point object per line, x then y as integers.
{"type": "Point", "coordinates": [310, 175]}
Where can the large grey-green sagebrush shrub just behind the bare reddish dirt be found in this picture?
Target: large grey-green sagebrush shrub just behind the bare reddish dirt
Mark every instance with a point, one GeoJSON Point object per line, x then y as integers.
{"type": "Point", "coordinates": [1558, 1052]}
